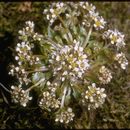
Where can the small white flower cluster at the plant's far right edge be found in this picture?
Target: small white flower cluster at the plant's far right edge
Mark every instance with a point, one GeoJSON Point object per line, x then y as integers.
{"type": "Point", "coordinates": [120, 57]}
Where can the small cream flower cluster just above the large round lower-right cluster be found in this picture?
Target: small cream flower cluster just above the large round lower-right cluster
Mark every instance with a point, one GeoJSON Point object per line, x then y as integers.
{"type": "Point", "coordinates": [105, 75]}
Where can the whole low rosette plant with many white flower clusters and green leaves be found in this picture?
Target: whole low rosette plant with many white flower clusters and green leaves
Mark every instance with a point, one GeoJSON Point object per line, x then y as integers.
{"type": "Point", "coordinates": [70, 64]}
